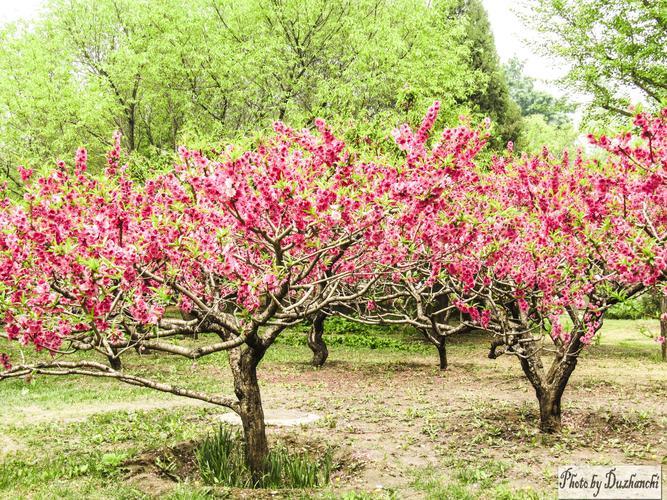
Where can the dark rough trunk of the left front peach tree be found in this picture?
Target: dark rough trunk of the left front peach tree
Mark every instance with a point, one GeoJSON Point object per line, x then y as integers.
{"type": "Point", "coordinates": [244, 368]}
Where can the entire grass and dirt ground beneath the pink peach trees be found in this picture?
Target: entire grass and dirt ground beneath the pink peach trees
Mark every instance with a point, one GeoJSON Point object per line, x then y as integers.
{"type": "Point", "coordinates": [383, 396]}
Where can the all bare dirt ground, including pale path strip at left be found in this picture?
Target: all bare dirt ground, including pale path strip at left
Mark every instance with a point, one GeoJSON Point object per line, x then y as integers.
{"type": "Point", "coordinates": [407, 428]}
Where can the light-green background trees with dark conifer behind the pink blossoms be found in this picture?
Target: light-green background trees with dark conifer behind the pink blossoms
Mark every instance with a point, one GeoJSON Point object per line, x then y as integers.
{"type": "Point", "coordinates": [167, 72]}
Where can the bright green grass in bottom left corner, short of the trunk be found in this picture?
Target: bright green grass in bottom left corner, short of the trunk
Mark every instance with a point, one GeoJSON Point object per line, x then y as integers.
{"type": "Point", "coordinates": [73, 455]}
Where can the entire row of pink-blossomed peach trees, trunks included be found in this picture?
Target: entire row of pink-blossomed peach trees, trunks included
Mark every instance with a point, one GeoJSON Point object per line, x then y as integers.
{"type": "Point", "coordinates": [532, 250]}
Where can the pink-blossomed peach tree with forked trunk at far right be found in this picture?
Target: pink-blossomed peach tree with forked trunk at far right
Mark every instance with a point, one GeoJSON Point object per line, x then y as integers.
{"type": "Point", "coordinates": [565, 240]}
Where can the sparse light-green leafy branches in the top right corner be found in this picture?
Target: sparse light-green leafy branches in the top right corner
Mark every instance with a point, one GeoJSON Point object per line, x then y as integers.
{"type": "Point", "coordinates": [616, 51]}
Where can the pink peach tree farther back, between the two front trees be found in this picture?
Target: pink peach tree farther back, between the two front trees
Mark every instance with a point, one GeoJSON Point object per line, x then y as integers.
{"type": "Point", "coordinates": [436, 189]}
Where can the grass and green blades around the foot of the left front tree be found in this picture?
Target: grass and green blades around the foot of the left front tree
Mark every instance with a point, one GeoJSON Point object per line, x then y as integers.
{"type": "Point", "coordinates": [135, 449]}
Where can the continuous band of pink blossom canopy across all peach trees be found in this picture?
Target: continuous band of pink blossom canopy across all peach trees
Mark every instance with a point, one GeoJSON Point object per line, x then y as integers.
{"type": "Point", "coordinates": [519, 237]}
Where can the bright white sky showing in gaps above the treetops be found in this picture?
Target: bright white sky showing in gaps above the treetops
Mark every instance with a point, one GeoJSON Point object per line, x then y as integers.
{"type": "Point", "coordinates": [510, 34]}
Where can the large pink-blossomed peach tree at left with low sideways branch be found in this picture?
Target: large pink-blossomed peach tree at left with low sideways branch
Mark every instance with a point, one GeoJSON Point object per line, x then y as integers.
{"type": "Point", "coordinates": [246, 244]}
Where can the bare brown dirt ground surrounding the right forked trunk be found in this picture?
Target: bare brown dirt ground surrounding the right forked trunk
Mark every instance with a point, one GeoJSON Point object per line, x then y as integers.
{"type": "Point", "coordinates": [412, 415]}
